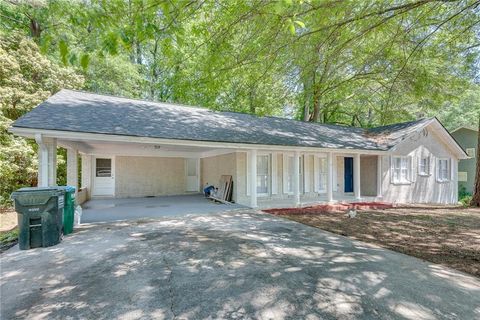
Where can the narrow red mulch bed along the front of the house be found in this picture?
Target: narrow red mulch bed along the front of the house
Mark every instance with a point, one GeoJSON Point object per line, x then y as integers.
{"type": "Point", "coordinates": [331, 208]}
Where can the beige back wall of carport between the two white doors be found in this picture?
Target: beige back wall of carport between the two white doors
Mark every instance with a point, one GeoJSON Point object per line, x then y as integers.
{"type": "Point", "coordinates": [149, 176]}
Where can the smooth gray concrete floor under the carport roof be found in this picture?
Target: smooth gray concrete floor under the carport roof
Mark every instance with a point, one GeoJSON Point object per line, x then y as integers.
{"type": "Point", "coordinates": [101, 210]}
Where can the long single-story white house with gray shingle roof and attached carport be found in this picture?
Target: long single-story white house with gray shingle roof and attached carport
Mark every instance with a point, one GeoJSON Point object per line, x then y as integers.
{"type": "Point", "coordinates": [134, 148]}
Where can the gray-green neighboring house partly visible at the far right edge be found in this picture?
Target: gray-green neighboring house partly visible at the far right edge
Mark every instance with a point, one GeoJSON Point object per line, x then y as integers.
{"type": "Point", "coordinates": [467, 138]}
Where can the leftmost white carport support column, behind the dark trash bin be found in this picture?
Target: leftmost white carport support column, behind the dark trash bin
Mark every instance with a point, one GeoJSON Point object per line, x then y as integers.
{"type": "Point", "coordinates": [47, 161]}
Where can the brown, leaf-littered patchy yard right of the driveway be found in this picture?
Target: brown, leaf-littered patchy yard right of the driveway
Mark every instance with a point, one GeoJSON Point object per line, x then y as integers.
{"type": "Point", "coordinates": [444, 235]}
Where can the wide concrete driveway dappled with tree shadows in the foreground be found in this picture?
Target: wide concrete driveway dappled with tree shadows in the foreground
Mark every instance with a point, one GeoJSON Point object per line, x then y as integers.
{"type": "Point", "coordinates": [235, 265]}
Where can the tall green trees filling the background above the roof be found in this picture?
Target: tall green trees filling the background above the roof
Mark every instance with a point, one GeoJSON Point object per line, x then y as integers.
{"type": "Point", "coordinates": [361, 63]}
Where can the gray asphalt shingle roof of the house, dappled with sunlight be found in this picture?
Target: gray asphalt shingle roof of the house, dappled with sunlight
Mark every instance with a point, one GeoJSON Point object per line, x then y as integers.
{"type": "Point", "coordinates": [93, 113]}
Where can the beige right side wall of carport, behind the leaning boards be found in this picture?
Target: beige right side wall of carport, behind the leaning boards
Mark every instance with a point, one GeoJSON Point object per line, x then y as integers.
{"type": "Point", "coordinates": [213, 167]}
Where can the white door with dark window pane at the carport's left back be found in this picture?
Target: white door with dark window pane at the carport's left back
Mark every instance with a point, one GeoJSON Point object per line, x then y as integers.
{"type": "Point", "coordinates": [104, 176]}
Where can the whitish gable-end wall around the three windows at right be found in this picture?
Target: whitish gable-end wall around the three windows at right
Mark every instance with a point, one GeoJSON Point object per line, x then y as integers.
{"type": "Point", "coordinates": [423, 189]}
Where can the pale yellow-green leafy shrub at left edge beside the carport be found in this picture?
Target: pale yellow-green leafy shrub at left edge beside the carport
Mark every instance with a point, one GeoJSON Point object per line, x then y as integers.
{"type": "Point", "coordinates": [26, 79]}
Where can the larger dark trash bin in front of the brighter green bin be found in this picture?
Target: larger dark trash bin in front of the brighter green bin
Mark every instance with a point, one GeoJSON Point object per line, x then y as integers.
{"type": "Point", "coordinates": [40, 216]}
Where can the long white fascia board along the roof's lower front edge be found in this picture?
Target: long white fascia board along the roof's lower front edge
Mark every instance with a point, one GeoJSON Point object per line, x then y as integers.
{"type": "Point", "coordinates": [71, 135]}
